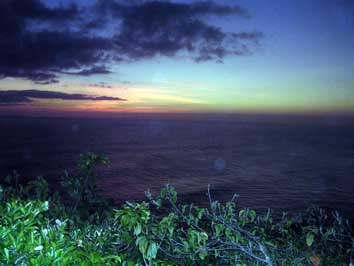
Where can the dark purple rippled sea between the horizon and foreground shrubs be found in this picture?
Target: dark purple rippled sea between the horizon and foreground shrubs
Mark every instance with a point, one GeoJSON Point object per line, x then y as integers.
{"type": "Point", "coordinates": [279, 162]}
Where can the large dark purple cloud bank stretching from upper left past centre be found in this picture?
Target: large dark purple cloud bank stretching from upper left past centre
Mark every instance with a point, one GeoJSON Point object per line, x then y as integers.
{"type": "Point", "coordinates": [40, 43]}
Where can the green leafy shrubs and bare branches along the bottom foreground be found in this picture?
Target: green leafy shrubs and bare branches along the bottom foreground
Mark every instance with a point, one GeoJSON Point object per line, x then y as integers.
{"type": "Point", "coordinates": [37, 228]}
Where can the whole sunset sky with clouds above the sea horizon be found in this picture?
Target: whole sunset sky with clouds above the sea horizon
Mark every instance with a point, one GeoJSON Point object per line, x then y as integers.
{"type": "Point", "coordinates": [250, 56]}
